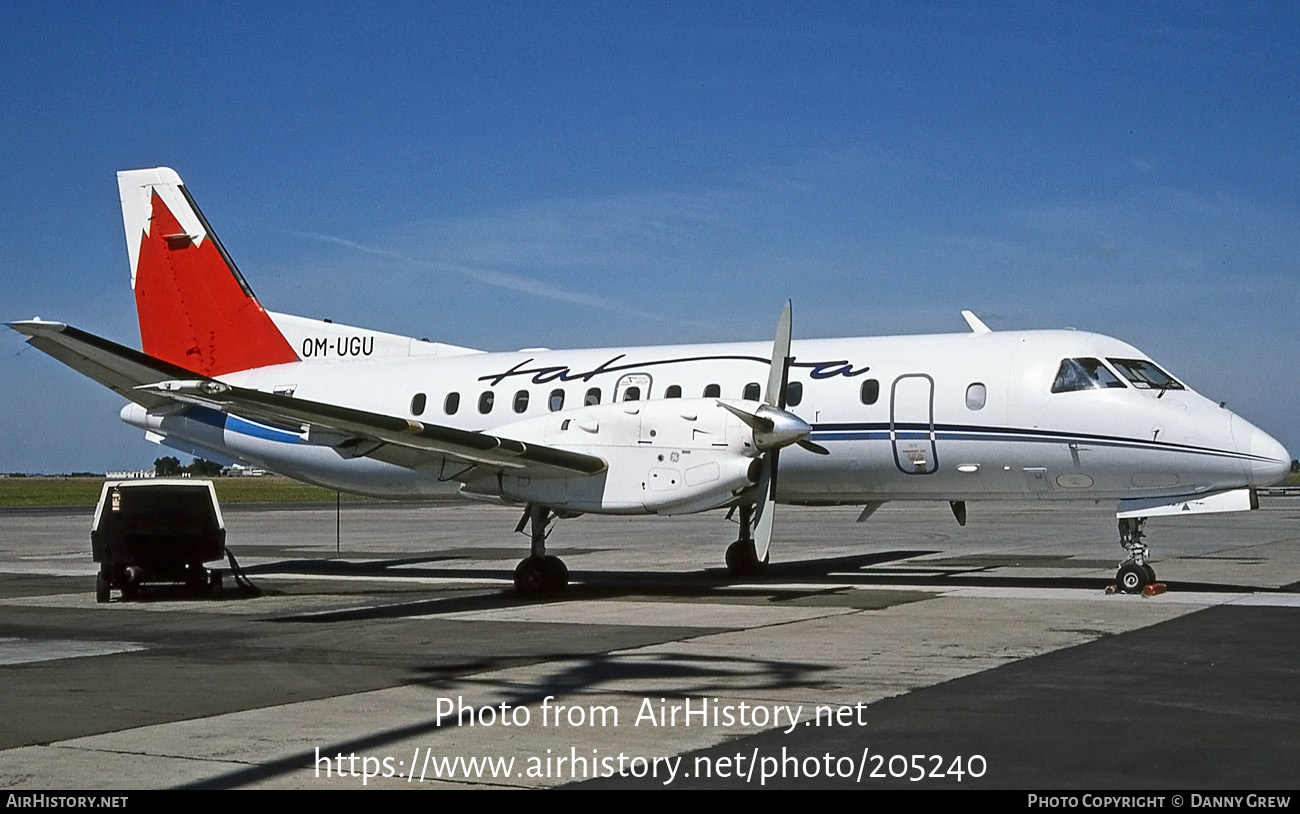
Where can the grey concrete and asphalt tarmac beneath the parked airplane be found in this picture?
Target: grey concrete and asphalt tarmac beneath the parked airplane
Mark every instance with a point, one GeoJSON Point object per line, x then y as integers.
{"type": "Point", "coordinates": [398, 657]}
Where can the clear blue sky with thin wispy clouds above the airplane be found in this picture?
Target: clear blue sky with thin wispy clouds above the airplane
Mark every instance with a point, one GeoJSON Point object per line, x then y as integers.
{"type": "Point", "coordinates": [569, 175]}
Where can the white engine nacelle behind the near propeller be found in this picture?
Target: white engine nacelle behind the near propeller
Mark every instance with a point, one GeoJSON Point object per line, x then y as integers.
{"type": "Point", "coordinates": [665, 457]}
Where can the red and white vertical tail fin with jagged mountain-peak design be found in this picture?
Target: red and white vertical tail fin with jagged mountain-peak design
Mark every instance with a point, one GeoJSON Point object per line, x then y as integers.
{"type": "Point", "coordinates": [194, 308]}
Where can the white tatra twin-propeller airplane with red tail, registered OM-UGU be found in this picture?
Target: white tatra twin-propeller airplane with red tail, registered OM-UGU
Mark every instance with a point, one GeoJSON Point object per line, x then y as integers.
{"type": "Point", "coordinates": [983, 415]}
